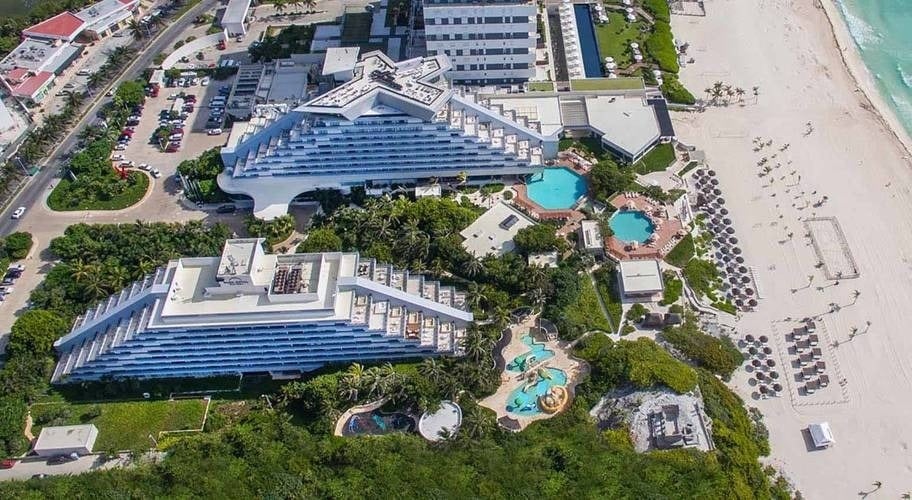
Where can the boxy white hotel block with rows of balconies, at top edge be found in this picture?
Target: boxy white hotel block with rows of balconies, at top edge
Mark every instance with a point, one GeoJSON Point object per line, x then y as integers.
{"type": "Point", "coordinates": [487, 41]}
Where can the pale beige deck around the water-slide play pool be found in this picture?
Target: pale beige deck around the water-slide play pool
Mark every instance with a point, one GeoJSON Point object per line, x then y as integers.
{"type": "Point", "coordinates": [510, 381]}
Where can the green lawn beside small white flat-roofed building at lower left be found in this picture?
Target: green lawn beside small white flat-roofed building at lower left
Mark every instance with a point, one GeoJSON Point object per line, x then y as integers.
{"type": "Point", "coordinates": [124, 426]}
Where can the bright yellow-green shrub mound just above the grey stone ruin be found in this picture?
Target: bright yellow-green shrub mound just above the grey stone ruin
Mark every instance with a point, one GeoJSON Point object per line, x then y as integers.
{"type": "Point", "coordinates": [641, 362]}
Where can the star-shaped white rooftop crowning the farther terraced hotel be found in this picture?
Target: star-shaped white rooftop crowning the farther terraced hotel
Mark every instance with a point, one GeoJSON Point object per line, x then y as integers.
{"type": "Point", "coordinates": [378, 79]}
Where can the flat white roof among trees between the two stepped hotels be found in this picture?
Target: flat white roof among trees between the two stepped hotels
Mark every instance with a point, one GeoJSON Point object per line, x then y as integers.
{"type": "Point", "coordinates": [492, 233]}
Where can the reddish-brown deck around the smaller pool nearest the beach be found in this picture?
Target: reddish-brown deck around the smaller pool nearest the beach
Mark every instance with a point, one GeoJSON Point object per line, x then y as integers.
{"type": "Point", "coordinates": [668, 230]}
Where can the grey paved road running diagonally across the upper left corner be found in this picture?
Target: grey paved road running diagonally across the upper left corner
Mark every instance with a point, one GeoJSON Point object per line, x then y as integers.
{"type": "Point", "coordinates": [35, 190]}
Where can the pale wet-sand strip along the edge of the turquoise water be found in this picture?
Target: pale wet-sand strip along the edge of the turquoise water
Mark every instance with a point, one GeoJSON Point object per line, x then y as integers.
{"type": "Point", "coordinates": [861, 75]}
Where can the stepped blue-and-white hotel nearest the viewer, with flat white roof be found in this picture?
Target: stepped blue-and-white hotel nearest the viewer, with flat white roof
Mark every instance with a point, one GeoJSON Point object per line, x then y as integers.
{"type": "Point", "coordinates": [250, 312]}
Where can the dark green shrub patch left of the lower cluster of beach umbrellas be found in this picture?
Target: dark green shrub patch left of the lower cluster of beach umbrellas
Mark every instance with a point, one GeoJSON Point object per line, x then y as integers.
{"type": "Point", "coordinates": [719, 356]}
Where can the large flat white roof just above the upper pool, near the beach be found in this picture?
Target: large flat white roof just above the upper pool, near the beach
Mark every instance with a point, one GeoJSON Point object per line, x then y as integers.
{"type": "Point", "coordinates": [628, 123]}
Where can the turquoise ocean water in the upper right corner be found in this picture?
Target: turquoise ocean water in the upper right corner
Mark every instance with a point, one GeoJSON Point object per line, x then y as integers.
{"type": "Point", "coordinates": [882, 30]}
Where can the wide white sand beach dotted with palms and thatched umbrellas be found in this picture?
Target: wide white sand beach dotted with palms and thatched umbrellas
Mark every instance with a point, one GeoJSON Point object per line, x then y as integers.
{"type": "Point", "coordinates": [788, 50]}
